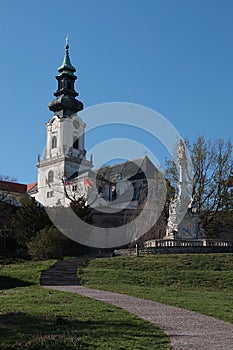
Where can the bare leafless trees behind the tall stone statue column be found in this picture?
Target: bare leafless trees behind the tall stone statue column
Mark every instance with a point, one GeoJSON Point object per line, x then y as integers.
{"type": "Point", "coordinates": [212, 180]}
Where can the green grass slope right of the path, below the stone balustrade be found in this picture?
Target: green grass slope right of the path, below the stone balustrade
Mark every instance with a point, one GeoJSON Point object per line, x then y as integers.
{"type": "Point", "coordinates": [202, 283]}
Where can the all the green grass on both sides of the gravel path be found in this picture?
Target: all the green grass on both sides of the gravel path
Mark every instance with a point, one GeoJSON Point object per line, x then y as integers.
{"type": "Point", "coordinates": [33, 318]}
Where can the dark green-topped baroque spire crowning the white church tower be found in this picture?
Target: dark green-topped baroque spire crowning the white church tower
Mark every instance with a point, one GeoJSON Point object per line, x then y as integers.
{"type": "Point", "coordinates": [66, 103]}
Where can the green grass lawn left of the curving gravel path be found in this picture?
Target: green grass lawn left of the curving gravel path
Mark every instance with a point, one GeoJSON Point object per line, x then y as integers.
{"type": "Point", "coordinates": [34, 318]}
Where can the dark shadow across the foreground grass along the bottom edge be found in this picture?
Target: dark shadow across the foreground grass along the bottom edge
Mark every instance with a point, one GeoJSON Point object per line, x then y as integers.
{"type": "Point", "coordinates": [28, 332]}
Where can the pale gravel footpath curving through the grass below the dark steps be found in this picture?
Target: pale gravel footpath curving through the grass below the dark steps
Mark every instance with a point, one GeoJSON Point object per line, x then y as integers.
{"type": "Point", "coordinates": [187, 330]}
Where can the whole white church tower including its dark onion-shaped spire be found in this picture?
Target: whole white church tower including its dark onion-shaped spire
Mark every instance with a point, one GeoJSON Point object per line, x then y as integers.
{"type": "Point", "coordinates": [65, 153]}
